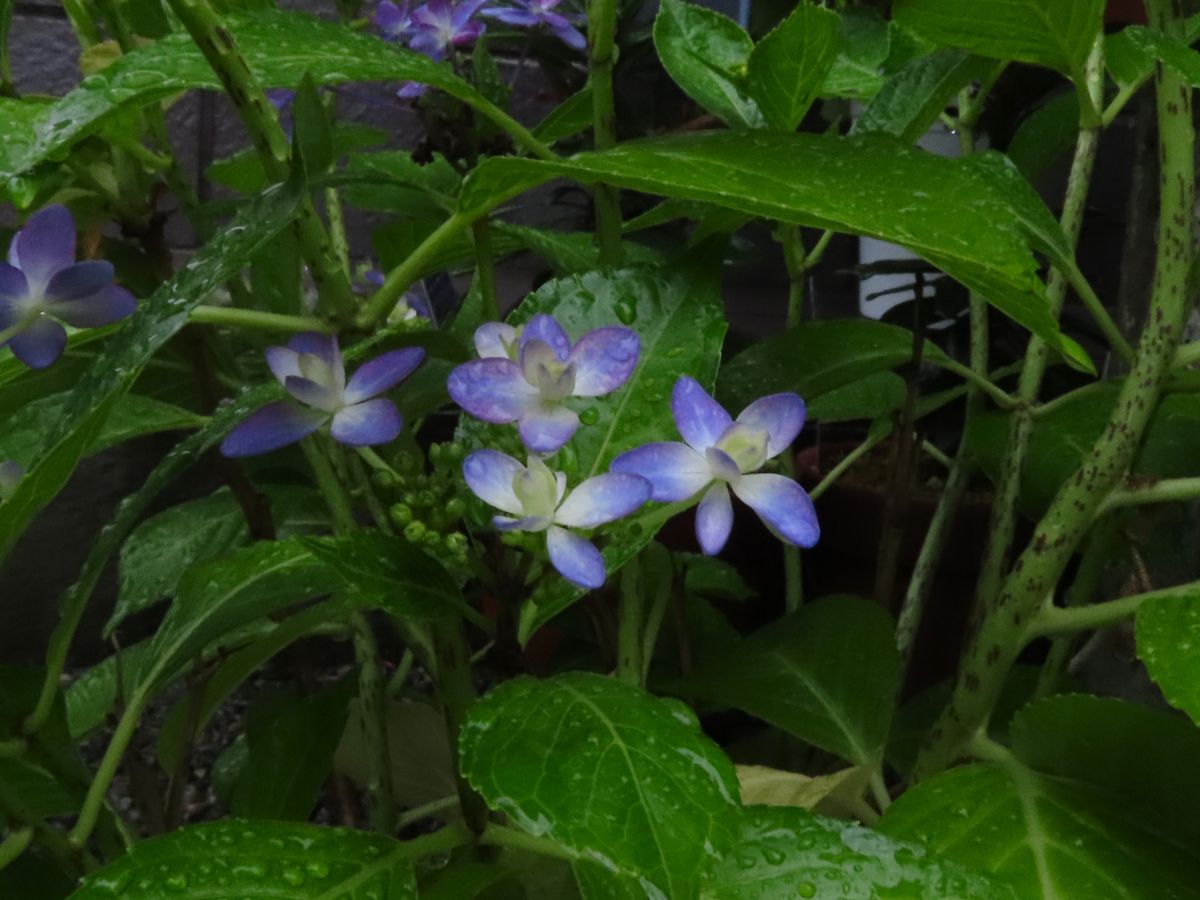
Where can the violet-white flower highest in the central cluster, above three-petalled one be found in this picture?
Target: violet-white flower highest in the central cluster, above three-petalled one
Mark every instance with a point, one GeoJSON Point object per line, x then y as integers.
{"type": "Point", "coordinates": [525, 377]}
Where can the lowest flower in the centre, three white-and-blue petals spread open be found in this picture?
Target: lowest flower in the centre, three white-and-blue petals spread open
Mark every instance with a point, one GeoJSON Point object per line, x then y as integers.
{"type": "Point", "coordinates": [537, 501]}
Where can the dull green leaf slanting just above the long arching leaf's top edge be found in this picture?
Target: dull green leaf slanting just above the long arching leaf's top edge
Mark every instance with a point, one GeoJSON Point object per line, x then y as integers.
{"type": "Point", "coordinates": [911, 100]}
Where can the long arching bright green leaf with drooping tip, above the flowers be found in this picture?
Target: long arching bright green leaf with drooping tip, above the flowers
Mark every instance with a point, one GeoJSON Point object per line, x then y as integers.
{"type": "Point", "coordinates": [967, 218]}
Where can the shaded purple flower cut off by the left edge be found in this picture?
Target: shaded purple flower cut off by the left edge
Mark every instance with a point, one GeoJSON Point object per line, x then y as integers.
{"type": "Point", "coordinates": [43, 284]}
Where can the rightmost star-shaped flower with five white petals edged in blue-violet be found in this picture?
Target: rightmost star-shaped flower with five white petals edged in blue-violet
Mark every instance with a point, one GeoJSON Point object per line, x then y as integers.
{"type": "Point", "coordinates": [721, 455]}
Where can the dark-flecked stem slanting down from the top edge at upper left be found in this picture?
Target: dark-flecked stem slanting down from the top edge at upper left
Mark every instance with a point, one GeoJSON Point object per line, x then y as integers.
{"type": "Point", "coordinates": [221, 51]}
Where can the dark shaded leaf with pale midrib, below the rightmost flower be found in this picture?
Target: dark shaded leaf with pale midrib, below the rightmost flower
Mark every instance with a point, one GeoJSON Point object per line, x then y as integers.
{"type": "Point", "coordinates": [827, 674]}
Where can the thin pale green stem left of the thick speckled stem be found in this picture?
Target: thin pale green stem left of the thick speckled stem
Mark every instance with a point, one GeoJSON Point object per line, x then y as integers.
{"type": "Point", "coordinates": [1037, 356]}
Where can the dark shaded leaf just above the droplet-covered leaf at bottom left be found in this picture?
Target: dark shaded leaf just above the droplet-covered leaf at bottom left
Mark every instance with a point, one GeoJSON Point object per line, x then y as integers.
{"type": "Point", "coordinates": [290, 743]}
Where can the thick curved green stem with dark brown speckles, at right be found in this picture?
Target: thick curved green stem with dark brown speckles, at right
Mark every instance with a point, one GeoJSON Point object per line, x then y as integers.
{"type": "Point", "coordinates": [1035, 575]}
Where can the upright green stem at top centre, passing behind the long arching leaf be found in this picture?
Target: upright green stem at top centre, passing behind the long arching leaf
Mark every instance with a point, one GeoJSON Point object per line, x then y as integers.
{"type": "Point", "coordinates": [602, 58]}
